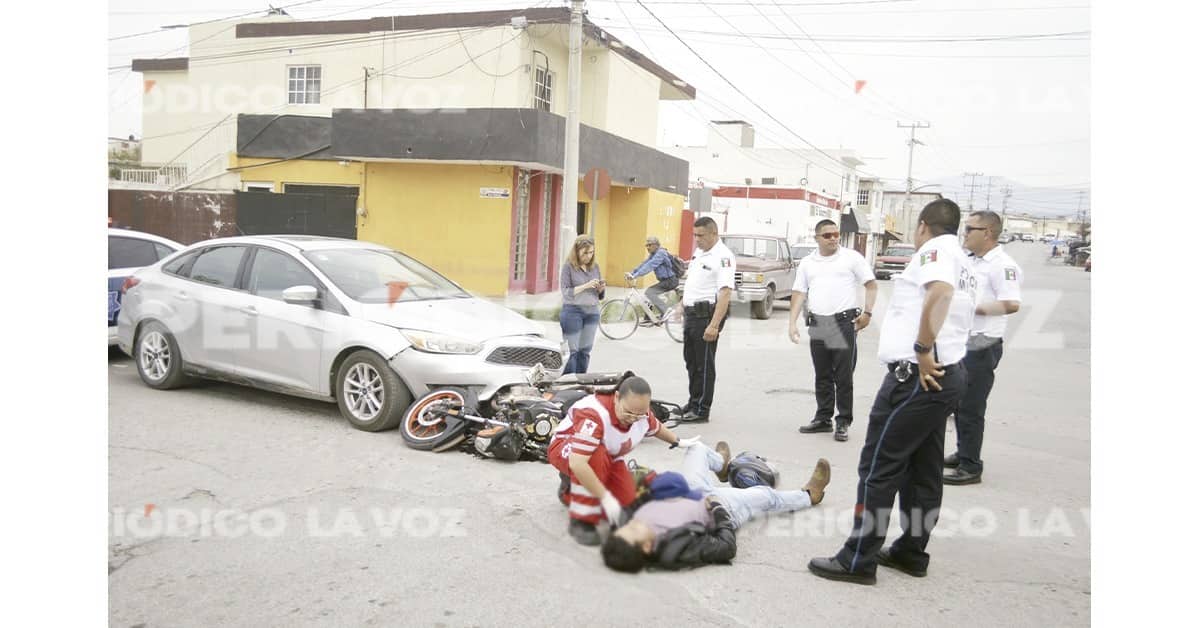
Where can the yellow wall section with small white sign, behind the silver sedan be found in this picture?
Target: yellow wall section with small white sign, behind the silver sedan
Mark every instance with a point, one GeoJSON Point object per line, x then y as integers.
{"type": "Point", "coordinates": [434, 212]}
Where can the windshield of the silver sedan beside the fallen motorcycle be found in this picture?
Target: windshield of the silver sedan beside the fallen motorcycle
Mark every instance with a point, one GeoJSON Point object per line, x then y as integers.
{"type": "Point", "coordinates": [373, 276]}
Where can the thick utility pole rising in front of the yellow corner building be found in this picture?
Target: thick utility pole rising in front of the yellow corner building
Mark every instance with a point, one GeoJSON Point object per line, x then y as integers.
{"type": "Point", "coordinates": [572, 149]}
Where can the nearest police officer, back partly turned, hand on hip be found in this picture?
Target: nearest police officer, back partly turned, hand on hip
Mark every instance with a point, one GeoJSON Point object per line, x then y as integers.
{"type": "Point", "coordinates": [923, 343]}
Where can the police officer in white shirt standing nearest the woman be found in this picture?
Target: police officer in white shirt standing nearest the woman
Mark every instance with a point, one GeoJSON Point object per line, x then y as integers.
{"type": "Point", "coordinates": [706, 304]}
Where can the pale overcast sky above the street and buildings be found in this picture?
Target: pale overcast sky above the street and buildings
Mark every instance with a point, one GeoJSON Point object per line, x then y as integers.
{"type": "Point", "coordinates": [1006, 93]}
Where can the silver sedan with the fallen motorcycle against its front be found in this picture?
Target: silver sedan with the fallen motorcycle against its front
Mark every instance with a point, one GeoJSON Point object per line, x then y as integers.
{"type": "Point", "coordinates": [341, 321]}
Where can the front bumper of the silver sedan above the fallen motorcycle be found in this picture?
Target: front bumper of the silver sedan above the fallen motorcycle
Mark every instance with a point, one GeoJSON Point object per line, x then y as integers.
{"type": "Point", "coordinates": [502, 362]}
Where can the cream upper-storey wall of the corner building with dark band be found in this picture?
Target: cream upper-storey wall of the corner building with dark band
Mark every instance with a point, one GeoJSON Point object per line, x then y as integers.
{"type": "Point", "coordinates": [425, 70]}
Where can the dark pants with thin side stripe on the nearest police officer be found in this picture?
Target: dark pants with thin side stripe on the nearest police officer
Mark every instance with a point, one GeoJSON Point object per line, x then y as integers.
{"type": "Point", "coordinates": [903, 454]}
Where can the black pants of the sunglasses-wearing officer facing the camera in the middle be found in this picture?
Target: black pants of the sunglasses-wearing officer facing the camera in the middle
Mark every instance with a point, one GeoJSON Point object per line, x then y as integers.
{"type": "Point", "coordinates": [835, 351]}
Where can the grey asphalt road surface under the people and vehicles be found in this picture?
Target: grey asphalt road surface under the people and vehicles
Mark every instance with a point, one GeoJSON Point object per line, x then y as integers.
{"type": "Point", "coordinates": [233, 507]}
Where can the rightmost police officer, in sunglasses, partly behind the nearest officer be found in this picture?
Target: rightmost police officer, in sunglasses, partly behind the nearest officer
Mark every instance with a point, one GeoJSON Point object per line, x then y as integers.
{"type": "Point", "coordinates": [1000, 295]}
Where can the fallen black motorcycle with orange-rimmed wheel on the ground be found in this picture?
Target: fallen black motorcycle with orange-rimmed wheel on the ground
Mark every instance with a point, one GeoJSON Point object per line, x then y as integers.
{"type": "Point", "coordinates": [517, 424]}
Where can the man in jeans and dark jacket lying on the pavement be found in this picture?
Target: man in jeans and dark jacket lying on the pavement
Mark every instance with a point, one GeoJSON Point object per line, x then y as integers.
{"type": "Point", "coordinates": [691, 522]}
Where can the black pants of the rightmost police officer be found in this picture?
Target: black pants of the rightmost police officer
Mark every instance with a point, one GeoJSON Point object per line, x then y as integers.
{"type": "Point", "coordinates": [981, 363]}
